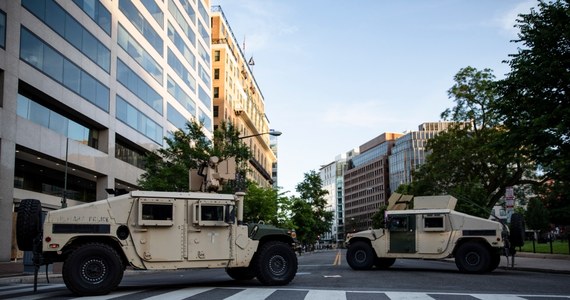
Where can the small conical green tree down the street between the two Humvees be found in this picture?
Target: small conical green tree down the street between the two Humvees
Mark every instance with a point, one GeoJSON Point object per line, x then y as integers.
{"type": "Point", "coordinates": [310, 215]}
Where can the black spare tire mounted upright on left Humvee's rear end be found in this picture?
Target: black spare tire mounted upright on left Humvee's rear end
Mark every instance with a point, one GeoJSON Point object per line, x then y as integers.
{"type": "Point", "coordinates": [28, 223]}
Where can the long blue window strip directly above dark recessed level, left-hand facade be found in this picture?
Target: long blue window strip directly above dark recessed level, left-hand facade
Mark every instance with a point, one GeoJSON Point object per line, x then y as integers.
{"type": "Point", "coordinates": [41, 56]}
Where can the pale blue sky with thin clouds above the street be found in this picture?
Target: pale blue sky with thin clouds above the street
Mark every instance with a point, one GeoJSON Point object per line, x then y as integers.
{"type": "Point", "coordinates": [336, 74]}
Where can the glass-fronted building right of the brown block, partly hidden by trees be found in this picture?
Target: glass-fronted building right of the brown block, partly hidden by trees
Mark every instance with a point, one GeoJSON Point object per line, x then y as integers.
{"type": "Point", "coordinates": [409, 152]}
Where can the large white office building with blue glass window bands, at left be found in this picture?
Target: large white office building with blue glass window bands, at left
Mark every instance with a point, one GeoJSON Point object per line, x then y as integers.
{"type": "Point", "coordinates": [87, 88]}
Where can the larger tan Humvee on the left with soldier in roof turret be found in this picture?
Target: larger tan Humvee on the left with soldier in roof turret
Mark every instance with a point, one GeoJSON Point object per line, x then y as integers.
{"type": "Point", "coordinates": [146, 230]}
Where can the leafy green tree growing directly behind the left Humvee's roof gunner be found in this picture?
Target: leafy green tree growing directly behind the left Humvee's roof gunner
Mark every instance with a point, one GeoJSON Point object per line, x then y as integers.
{"type": "Point", "coordinates": [166, 169]}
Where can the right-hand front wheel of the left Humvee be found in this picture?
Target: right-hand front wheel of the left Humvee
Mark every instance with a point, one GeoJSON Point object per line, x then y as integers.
{"type": "Point", "coordinates": [275, 263]}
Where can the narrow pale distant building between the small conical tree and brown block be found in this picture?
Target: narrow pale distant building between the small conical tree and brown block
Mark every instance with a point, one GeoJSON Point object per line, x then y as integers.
{"type": "Point", "coordinates": [332, 176]}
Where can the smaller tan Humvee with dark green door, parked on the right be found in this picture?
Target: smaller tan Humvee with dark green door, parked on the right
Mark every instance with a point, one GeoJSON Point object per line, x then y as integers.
{"type": "Point", "coordinates": [433, 230]}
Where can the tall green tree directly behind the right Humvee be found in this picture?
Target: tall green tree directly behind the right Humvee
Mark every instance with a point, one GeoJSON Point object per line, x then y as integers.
{"type": "Point", "coordinates": [470, 161]}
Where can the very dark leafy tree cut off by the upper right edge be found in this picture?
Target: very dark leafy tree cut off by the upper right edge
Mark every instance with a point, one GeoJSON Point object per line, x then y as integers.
{"type": "Point", "coordinates": [535, 104]}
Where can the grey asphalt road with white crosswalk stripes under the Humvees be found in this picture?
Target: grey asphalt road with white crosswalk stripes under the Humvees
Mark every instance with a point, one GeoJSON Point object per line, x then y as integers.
{"type": "Point", "coordinates": [320, 276]}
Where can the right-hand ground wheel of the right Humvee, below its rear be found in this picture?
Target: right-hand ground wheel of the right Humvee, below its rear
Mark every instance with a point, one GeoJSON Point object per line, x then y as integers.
{"type": "Point", "coordinates": [473, 257]}
